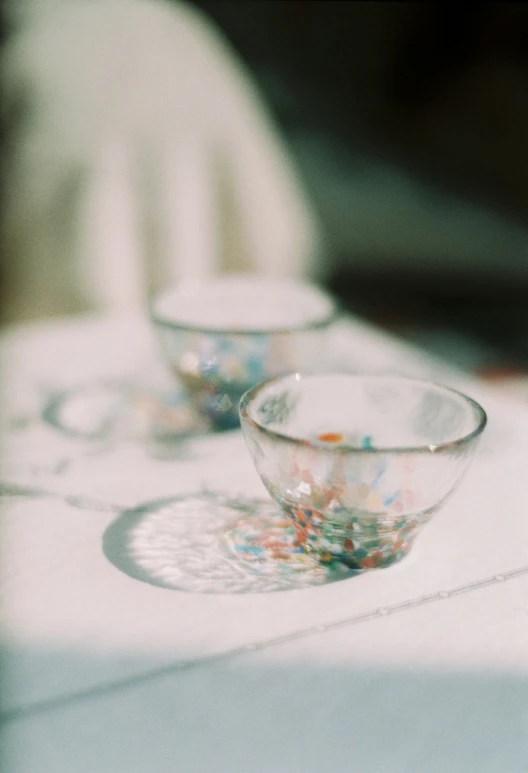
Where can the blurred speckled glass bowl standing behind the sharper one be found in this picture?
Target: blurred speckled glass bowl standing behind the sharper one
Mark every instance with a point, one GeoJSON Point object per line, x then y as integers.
{"type": "Point", "coordinates": [224, 336]}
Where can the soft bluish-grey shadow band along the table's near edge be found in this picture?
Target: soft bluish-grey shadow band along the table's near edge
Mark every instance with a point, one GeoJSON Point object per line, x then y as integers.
{"type": "Point", "coordinates": [252, 714]}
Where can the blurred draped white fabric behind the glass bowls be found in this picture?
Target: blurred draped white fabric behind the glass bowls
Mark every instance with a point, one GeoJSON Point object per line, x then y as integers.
{"type": "Point", "coordinates": [139, 153]}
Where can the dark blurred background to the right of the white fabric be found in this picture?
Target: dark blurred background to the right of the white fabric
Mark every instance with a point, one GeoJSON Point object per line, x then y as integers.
{"type": "Point", "coordinates": [409, 123]}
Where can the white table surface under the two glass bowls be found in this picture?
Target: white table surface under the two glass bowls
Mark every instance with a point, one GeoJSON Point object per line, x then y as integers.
{"type": "Point", "coordinates": [422, 667]}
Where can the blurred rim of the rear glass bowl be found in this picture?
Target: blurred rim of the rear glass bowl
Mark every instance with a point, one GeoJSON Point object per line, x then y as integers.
{"type": "Point", "coordinates": [323, 322]}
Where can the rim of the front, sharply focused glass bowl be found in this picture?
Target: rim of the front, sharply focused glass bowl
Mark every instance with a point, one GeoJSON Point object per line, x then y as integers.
{"type": "Point", "coordinates": [250, 394]}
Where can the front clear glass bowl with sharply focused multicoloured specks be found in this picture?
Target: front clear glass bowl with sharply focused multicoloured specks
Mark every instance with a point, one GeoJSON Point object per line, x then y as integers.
{"type": "Point", "coordinates": [359, 463]}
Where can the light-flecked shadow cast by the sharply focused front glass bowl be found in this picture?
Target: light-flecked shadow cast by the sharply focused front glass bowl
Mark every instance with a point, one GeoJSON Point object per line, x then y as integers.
{"type": "Point", "coordinates": [207, 543]}
